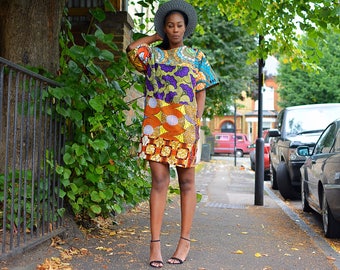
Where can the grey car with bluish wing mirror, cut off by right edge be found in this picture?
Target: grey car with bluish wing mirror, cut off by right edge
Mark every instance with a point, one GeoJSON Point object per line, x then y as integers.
{"type": "Point", "coordinates": [320, 179]}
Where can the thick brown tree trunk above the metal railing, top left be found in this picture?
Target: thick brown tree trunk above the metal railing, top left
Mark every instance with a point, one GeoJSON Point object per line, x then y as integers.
{"type": "Point", "coordinates": [29, 32]}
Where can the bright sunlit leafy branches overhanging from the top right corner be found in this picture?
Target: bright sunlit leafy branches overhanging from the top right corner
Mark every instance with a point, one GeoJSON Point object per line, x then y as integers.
{"type": "Point", "coordinates": [279, 22]}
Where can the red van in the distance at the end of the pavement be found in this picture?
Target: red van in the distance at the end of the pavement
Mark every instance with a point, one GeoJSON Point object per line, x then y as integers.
{"type": "Point", "coordinates": [224, 143]}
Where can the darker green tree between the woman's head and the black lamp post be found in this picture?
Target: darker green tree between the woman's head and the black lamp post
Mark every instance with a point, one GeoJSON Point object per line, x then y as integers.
{"type": "Point", "coordinates": [227, 47]}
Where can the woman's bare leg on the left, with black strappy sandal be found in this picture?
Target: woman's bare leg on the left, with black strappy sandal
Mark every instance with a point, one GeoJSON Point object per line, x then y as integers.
{"type": "Point", "coordinates": [160, 182]}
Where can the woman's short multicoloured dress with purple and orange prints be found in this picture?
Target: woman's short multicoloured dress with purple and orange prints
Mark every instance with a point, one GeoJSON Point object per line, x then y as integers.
{"type": "Point", "coordinates": [170, 129]}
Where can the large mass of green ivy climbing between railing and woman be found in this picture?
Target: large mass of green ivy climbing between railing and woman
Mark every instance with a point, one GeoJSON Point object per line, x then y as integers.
{"type": "Point", "coordinates": [100, 173]}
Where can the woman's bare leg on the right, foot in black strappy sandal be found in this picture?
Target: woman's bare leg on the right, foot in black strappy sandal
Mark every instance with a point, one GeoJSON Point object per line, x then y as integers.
{"type": "Point", "coordinates": [186, 178]}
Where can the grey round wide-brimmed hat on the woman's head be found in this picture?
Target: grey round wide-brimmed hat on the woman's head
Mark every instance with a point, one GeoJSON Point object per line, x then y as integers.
{"type": "Point", "coordinates": [175, 5]}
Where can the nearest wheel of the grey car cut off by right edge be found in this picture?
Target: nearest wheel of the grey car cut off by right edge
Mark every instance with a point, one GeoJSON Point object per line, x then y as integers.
{"type": "Point", "coordinates": [330, 226]}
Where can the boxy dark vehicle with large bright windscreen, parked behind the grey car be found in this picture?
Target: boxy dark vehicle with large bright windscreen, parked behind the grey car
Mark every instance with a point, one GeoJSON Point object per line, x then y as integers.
{"type": "Point", "coordinates": [296, 126]}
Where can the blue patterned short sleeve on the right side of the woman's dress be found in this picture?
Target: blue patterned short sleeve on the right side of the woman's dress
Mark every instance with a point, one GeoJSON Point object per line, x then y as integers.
{"type": "Point", "coordinates": [206, 75]}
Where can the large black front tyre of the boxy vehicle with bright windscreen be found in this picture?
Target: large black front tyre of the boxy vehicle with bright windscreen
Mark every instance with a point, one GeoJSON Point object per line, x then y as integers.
{"type": "Point", "coordinates": [284, 184]}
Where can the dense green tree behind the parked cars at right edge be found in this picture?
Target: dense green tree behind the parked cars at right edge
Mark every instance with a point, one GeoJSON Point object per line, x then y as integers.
{"type": "Point", "coordinates": [298, 87]}
